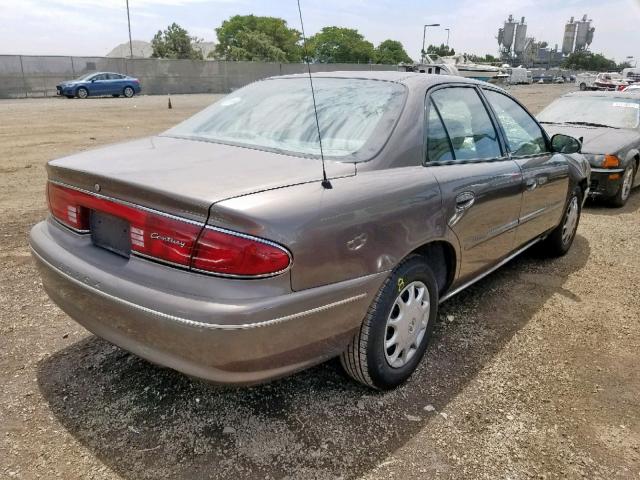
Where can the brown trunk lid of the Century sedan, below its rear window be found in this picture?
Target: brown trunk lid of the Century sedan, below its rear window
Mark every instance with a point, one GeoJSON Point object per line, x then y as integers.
{"type": "Point", "coordinates": [185, 177]}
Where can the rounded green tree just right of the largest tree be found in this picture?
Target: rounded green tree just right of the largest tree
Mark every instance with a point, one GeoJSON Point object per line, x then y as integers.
{"type": "Point", "coordinates": [340, 45]}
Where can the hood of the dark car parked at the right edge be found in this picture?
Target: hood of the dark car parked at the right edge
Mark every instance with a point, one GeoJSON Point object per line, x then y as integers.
{"type": "Point", "coordinates": [597, 140]}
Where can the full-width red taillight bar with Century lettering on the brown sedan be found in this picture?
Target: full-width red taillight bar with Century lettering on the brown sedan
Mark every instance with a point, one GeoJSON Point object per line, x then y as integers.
{"type": "Point", "coordinates": [170, 239]}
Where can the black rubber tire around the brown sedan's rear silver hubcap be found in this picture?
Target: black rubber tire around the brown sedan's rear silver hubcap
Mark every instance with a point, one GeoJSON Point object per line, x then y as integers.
{"type": "Point", "coordinates": [365, 359]}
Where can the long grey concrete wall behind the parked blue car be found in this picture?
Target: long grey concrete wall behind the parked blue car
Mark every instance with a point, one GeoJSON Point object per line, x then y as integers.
{"type": "Point", "coordinates": [37, 76]}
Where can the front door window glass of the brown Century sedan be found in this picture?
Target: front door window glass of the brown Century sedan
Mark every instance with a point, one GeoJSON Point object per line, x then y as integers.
{"type": "Point", "coordinates": [524, 136]}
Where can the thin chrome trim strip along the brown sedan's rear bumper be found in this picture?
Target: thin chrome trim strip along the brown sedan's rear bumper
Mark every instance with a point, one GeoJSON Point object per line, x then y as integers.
{"type": "Point", "coordinates": [193, 323]}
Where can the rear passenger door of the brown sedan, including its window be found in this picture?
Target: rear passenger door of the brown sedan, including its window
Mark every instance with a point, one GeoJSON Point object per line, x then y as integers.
{"type": "Point", "coordinates": [481, 186]}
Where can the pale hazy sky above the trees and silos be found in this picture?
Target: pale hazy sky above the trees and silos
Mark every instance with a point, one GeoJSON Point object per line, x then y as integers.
{"type": "Point", "coordinates": [94, 27]}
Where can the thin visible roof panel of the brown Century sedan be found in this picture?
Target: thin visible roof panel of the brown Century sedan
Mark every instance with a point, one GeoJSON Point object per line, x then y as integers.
{"type": "Point", "coordinates": [406, 78]}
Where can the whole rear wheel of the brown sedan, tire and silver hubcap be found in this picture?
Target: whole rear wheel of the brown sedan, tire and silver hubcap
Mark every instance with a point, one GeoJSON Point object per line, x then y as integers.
{"type": "Point", "coordinates": [396, 330]}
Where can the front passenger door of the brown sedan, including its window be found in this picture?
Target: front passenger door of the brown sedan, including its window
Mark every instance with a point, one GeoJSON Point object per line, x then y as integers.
{"type": "Point", "coordinates": [545, 174]}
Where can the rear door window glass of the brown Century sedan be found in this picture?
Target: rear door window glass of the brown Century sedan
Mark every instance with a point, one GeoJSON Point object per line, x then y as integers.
{"type": "Point", "coordinates": [467, 124]}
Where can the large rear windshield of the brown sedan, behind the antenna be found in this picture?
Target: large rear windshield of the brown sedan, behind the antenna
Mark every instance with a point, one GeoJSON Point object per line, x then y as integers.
{"type": "Point", "coordinates": [355, 116]}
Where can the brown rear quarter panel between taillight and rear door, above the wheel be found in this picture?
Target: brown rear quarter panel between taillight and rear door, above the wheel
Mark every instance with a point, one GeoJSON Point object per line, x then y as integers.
{"type": "Point", "coordinates": [365, 224]}
